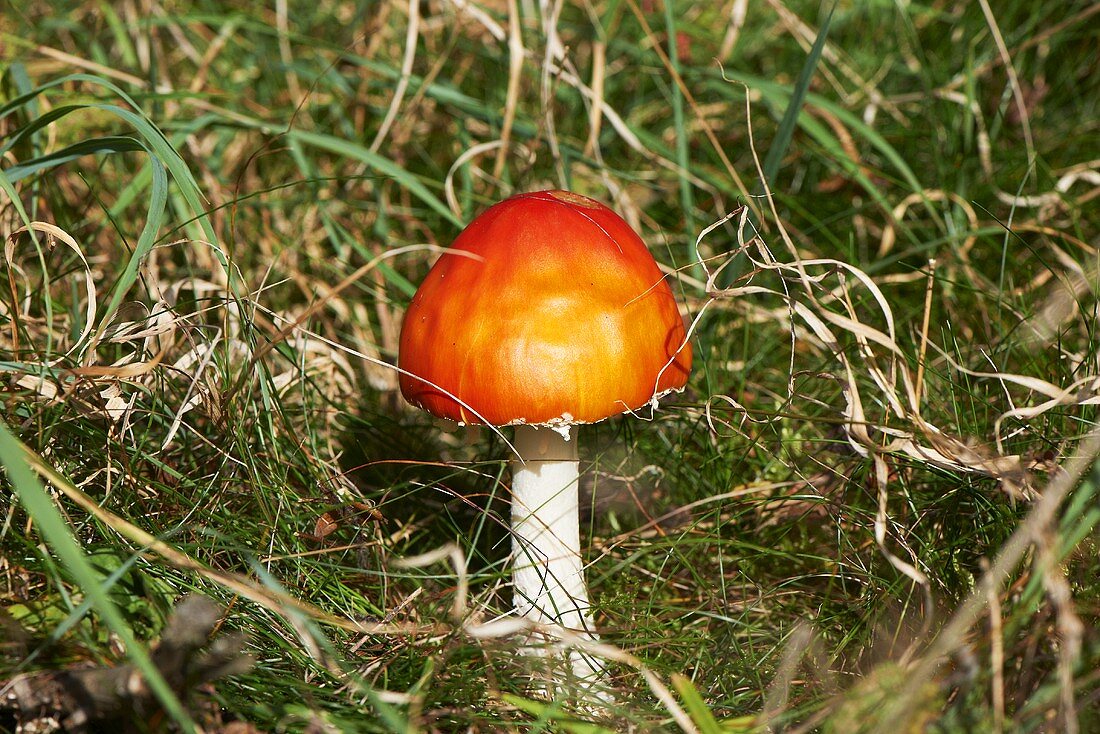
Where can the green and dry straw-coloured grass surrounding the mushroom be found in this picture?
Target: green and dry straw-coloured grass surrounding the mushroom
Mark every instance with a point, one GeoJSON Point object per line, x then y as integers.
{"type": "Point", "coordinates": [877, 502]}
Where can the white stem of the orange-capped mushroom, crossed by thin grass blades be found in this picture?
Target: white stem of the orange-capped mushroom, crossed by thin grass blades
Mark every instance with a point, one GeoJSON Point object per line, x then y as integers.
{"type": "Point", "coordinates": [548, 574]}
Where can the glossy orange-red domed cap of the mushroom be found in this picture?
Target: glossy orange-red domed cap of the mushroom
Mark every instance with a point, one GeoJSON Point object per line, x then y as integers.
{"type": "Point", "coordinates": [548, 310]}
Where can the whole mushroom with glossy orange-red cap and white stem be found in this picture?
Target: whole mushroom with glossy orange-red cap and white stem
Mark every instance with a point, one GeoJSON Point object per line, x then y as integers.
{"type": "Point", "coordinates": [548, 312]}
